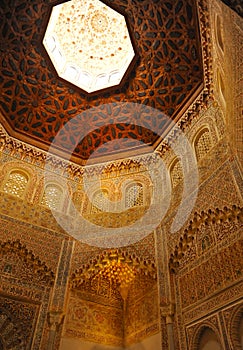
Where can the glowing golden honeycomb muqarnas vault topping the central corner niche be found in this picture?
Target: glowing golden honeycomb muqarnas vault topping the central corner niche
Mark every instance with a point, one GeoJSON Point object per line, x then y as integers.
{"type": "Point", "coordinates": [121, 271]}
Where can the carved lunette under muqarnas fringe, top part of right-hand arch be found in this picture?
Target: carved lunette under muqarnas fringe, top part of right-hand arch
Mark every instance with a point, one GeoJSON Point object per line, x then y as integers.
{"type": "Point", "coordinates": [206, 232]}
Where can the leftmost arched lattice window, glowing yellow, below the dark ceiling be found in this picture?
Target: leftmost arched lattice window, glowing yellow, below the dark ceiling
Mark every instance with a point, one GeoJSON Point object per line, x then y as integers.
{"type": "Point", "coordinates": [16, 183]}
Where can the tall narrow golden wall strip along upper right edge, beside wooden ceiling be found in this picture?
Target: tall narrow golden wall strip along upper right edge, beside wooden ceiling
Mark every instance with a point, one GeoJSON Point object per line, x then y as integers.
{"type": "Point", "coordinates": [227, 39]}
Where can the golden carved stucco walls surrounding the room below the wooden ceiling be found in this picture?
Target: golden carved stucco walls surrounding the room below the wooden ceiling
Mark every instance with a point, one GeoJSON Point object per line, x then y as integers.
{"type": "Point", "coordinates": [185, 288]}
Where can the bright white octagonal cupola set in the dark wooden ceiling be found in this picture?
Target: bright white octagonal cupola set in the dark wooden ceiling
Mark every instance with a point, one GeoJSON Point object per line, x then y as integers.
{"type": "Point", "coordinates": [89, 44]}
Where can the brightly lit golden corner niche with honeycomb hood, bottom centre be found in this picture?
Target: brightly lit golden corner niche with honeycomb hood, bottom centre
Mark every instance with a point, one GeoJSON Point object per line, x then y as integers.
{"type": "Point", "coordinates": [115, 280]}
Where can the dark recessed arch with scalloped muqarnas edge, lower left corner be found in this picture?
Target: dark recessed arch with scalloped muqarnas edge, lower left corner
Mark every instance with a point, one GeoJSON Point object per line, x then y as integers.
{"type": "Point", "coordinates": [26, 283]}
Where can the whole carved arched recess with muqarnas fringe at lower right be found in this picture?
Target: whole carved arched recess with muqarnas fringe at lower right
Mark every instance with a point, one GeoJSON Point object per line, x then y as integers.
{"type": "Point", "coordinates": [208, 268]}
